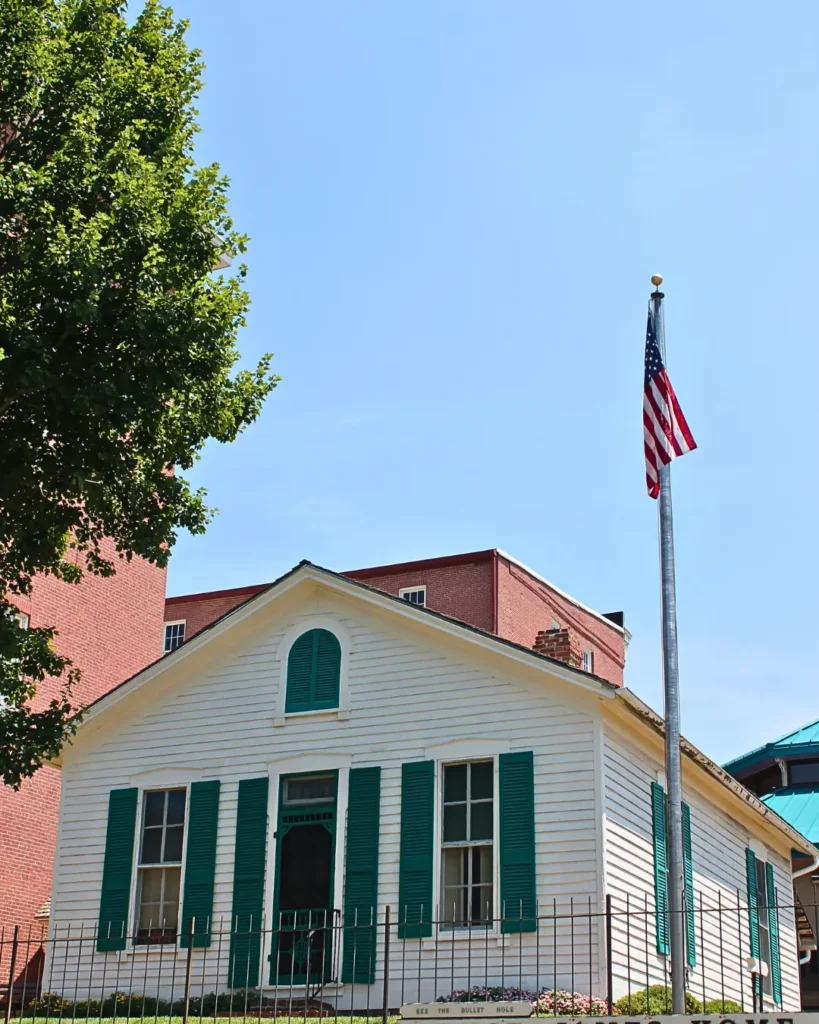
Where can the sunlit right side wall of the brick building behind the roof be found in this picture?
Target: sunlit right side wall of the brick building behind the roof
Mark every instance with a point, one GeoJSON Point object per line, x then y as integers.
{"type": "Point", "coordinates": [526, 607]}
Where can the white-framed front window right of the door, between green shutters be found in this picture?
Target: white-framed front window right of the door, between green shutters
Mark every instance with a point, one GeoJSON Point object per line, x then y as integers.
{"type": "Point", "coordinates": [467, 855]}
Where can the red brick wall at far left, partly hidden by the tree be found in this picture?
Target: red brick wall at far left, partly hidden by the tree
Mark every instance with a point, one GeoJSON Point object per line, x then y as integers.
{"type": "Point", "coordinates": [111, 629]}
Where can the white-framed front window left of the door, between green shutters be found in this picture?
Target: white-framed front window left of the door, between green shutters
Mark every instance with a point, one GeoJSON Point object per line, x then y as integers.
{"type": "Point", "coordinates": [160, 866]}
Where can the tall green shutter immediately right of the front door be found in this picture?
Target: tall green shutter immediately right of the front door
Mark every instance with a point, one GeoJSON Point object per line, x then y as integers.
{"type": "Point", "coordinates": [361, 876]}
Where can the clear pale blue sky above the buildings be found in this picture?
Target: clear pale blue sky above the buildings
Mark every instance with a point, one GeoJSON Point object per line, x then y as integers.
{"type": "Point", "coordinates": [455, 207]}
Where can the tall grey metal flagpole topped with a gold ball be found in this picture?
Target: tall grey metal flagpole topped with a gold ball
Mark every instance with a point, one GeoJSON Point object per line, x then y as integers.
{"type": "Point", "coordinates": [671, 675]}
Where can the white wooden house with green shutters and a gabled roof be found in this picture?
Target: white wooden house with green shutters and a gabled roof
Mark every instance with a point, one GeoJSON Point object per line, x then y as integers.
{"type": "Point", "coordinates": [327, 749]}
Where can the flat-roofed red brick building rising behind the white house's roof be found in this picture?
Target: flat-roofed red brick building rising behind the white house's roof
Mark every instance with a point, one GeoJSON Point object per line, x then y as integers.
{"type": "Point", "coordinates": [490, 590]}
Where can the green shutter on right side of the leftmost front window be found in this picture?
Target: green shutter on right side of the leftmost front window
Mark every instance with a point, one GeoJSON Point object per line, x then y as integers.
{"type": "Point", "coordinates": [203, 817]}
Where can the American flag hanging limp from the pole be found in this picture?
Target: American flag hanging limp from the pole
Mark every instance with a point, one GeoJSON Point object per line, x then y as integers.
{"type": "Point", "coordinates": [667, 434]}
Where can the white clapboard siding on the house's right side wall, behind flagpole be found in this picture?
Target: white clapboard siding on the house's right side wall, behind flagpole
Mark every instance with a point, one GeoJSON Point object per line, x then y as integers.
{"type": "Point", "coordinates": [719, 860]}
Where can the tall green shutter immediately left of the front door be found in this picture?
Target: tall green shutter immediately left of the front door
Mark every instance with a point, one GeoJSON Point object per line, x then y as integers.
{"type": "Point", "coordinates": [248, 883]}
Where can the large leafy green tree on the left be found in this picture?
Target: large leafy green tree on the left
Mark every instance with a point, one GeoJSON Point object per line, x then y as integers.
{"type": "Point", "coordinates": [117, 339]}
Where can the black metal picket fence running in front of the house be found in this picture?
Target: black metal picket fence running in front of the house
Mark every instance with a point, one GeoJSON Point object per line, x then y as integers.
{"type": "Point", "coordinates": [570, 959]}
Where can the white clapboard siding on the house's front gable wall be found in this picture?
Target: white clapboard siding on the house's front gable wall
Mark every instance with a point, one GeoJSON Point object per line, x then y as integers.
{"type": "Point", "coordinates": [403, 698]}
